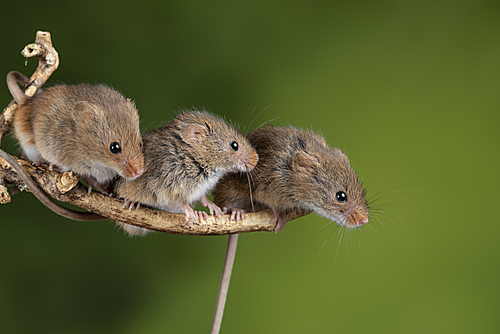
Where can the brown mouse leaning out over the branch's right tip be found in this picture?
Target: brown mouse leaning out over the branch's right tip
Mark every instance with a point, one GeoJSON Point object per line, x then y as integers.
{"type": "Point", "coordinates": [296, 169]}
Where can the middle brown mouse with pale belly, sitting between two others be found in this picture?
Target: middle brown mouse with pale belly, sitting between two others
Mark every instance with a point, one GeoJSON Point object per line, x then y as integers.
{"type": "Point", "coordinates": [183, 160]}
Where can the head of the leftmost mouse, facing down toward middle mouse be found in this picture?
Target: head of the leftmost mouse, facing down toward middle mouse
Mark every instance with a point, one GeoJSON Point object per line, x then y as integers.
{"type": "Point", "coordinates": [110, 128]}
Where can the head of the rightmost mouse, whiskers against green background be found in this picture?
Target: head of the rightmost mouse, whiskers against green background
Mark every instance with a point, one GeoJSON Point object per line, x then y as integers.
{"type": "Point", "coordinates": [325, 181]}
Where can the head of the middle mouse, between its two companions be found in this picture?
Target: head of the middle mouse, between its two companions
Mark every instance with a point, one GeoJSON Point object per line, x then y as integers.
{"type": "Point", "coordinates": [215, 144]}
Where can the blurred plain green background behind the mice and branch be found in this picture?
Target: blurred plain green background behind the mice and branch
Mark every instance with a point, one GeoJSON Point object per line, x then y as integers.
{"type": "Point", "coordinates": [408, 89]}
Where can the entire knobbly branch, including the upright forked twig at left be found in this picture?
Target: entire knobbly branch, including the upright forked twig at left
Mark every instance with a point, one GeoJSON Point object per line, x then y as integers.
{"type": "Point", "coordinates": [67, 188]}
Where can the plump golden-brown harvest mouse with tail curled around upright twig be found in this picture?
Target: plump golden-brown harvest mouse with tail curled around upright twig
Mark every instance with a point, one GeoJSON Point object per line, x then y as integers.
{"type": "Point", "coordinates": [90, 129]}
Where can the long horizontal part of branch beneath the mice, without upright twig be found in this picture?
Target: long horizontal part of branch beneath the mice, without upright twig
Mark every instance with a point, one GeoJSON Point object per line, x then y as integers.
{"type": "Point", "coordinates": [66, 188]}
